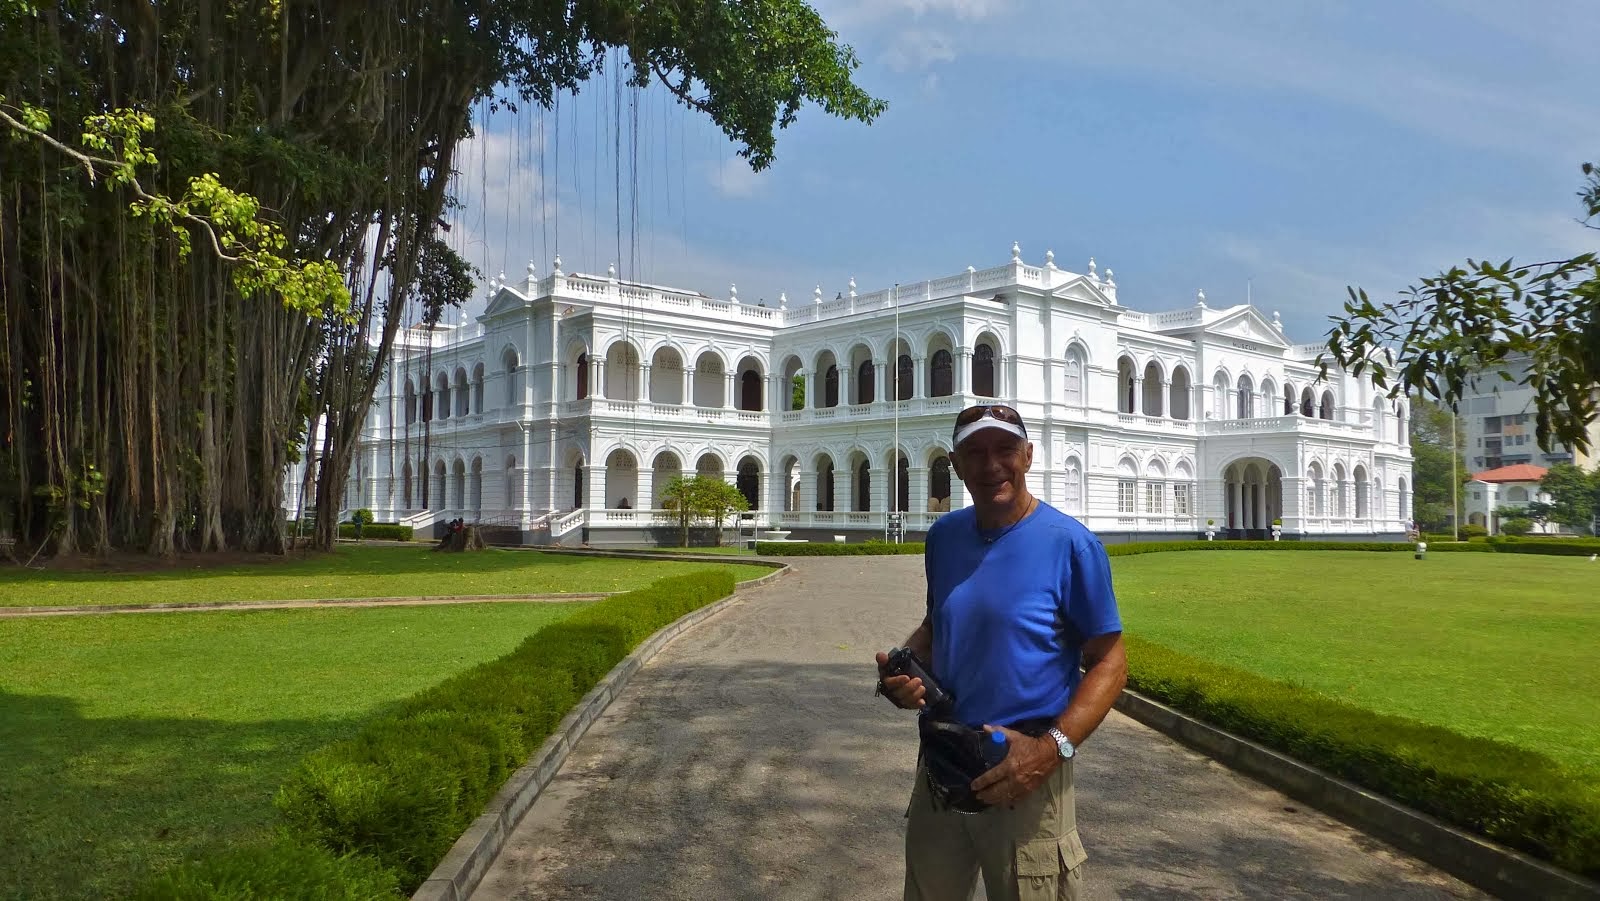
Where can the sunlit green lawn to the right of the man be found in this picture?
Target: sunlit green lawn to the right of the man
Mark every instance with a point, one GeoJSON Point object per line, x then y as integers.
{"type": "Point", "coordinates": [1497, 646]}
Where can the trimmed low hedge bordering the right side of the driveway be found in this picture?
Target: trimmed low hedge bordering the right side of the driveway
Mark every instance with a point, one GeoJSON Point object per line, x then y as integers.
{"type": "Point", "coordinates": [1514, 796]}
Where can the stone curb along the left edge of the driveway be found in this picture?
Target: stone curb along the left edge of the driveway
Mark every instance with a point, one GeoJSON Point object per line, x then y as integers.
{"type": "Point", "coordinates": [458, 876]}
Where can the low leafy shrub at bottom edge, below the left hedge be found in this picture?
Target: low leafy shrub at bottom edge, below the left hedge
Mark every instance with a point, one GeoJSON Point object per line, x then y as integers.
{"type": "Point", "coordinates": [278, 870]}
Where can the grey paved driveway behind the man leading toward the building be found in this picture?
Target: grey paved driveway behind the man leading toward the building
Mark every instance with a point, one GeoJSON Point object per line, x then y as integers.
{"type": "Point", "coordinates": [751, 761]}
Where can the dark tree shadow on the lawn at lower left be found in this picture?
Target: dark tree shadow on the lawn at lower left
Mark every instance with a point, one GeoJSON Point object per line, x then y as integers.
{"type": "Point", "coordinates": [94, 806]}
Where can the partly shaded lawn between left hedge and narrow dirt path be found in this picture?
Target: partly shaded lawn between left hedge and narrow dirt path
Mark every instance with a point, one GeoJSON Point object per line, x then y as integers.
{"type": "Point", "coordinates": [129, 742]}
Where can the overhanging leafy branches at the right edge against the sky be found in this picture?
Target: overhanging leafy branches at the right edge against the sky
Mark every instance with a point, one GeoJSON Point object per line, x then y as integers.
{"type": "Point", "coordinates": [1540, 321]}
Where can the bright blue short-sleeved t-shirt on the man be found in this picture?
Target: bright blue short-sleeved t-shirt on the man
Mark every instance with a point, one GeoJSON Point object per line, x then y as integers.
{"type": "Point", "coordinates": [1010, 617]}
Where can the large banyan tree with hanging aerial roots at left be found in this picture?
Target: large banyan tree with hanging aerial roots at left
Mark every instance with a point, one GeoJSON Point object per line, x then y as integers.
{"type": "Point", "coordinates": [214, 218]}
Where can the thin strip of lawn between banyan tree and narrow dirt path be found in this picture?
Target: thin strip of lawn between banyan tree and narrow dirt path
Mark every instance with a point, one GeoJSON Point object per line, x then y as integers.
{"type": "Point", "coordinates": [351, 572]}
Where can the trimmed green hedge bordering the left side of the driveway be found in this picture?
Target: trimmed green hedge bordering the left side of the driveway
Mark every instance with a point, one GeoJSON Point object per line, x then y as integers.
{"type": "Point", "coordinates": [399, 795]}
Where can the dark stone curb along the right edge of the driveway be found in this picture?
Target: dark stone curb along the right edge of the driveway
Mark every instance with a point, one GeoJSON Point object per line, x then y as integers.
{"type": "Point", "coordinates": [1471, 859]}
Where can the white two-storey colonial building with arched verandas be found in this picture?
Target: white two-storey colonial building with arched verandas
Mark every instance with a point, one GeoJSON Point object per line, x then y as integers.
{"type": "Point", "coordinates": [566, 409]}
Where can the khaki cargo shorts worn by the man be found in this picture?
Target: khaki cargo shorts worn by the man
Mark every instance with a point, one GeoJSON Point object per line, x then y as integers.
{"type": "Point", "coordinates": [1026, 854]}
